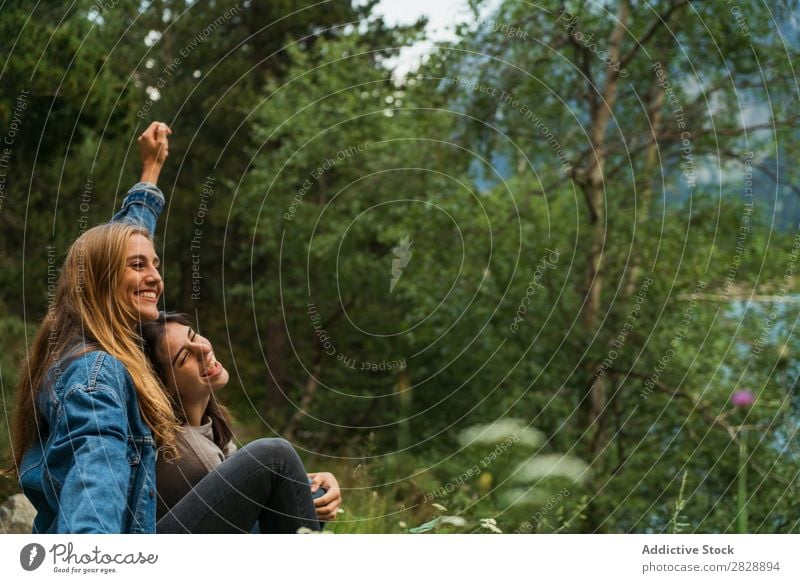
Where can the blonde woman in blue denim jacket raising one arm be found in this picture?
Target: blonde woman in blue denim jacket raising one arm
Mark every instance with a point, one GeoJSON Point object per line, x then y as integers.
{"type": "Point", "coordinates": [89, 410]}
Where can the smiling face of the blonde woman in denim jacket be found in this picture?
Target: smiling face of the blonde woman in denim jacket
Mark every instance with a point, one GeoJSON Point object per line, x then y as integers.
{"type": "Point", "coordinates": [141, 284]}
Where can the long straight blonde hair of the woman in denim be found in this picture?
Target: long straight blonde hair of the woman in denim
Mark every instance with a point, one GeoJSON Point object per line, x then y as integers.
{"type": "Point", "coordinates": [86, 310]}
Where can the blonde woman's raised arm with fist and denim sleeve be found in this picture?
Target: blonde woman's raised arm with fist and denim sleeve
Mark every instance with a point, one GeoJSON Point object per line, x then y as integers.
{"type": "Point", "coordinates": [144, 201]}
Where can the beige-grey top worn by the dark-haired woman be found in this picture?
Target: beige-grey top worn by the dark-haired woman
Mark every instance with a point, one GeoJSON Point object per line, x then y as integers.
{"type": "Point", "coordinates": [197, 456]}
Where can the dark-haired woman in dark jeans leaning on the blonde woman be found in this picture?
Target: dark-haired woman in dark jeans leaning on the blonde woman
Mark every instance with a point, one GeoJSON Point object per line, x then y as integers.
{"type": "Point", "coordinates": [210, 487]}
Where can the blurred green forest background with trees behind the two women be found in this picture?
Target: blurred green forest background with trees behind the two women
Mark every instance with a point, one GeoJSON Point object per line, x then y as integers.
{"type": "Point", "coordinates": [499, 266]}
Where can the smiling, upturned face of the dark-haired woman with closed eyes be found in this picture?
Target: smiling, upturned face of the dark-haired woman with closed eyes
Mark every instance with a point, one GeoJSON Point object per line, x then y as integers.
{"type": "Point", "coordinates": [191, 369]}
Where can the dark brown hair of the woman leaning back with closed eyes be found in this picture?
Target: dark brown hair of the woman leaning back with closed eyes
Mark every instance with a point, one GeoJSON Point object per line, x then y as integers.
{"type": "Point", "coordinates": [153, 333]}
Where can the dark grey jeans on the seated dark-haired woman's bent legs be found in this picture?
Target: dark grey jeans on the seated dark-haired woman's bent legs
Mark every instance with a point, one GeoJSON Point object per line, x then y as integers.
{"type": "Point", "coordinates": [263, 483]}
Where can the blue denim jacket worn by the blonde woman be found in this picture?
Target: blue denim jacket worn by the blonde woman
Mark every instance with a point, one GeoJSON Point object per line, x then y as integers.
{"type": "Point", "coordinates": [93, 468]}
